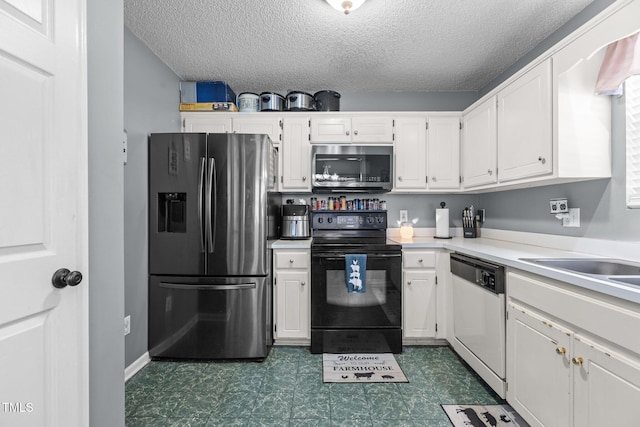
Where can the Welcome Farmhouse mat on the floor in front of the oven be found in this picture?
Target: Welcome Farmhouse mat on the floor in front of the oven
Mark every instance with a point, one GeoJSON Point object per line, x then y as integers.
{"type": "Point", "coordinates": [355, 368]}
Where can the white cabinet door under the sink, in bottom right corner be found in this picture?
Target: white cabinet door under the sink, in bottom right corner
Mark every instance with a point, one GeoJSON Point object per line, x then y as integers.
{"type": "Point", "coordinates": [606, 386]}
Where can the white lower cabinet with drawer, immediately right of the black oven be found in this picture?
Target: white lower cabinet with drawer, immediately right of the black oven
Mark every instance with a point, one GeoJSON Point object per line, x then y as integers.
{"type": "Point", "coordinates": [418, 295]}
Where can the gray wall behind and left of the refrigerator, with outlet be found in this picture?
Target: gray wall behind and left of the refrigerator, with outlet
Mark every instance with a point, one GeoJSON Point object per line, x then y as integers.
{"type": "Point", "coordinates": [151, 97]}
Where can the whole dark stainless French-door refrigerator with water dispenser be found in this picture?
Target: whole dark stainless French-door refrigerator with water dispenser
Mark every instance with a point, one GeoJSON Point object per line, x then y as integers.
{"type": "Point", "coordinates": [212, 213]}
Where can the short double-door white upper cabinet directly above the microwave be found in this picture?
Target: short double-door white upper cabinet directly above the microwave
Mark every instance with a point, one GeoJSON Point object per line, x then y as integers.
{"type": "Point", "coordinates": [360, 129]}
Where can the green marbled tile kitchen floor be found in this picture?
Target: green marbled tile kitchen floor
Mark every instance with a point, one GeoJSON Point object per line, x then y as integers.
{"type": "Point", "coordinates": [287, 390]}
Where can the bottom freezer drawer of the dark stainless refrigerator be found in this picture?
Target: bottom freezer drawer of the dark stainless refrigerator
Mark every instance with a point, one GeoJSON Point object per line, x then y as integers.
{"type": "Point", "coordinates": [209, 318]}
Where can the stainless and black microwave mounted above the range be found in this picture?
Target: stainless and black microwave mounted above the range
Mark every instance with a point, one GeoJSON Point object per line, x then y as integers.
{"type": "Point", "coordinates": [337, 168]}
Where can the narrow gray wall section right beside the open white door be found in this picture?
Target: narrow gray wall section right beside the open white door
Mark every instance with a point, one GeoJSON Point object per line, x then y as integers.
{"type": "Point", "coordinates": [106, 248]}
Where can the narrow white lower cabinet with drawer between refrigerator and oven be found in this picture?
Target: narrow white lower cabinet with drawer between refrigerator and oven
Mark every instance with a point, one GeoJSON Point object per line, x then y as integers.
{"type": "Point", "coordinates": [292, 296]}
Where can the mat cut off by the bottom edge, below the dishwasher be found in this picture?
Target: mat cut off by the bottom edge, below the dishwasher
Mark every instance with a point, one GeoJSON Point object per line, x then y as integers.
{"type": "Point", "coordinates": [483, 416]}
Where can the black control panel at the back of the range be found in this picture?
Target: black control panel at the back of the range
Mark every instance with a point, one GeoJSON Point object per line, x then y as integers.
{"type": "Point", "coordinates": [348, 220]}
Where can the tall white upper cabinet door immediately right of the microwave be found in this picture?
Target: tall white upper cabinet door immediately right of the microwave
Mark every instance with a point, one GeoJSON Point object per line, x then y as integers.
{"type": "Point", "coordinates": [411, 153]}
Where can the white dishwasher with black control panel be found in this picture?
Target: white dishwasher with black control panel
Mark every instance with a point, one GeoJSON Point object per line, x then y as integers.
{"type": "Point", "coordinates": [479, 322]}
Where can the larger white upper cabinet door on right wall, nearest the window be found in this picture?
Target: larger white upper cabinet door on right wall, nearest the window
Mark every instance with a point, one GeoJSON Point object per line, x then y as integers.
{"type": "Point", "coordinates": [524, 125]}
